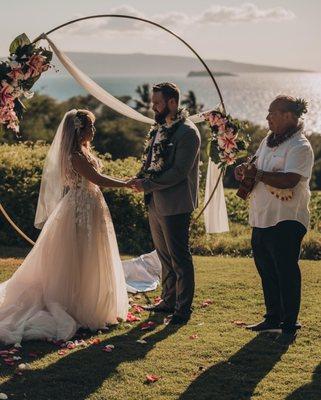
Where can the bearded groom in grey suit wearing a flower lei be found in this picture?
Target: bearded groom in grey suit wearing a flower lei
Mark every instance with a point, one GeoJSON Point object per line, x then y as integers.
{"type": "Point", "coordinates": [169, 179]}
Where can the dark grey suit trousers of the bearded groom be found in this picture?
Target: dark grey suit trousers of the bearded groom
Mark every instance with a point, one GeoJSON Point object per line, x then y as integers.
{"type": "Point", "coordinates": [171, 239]}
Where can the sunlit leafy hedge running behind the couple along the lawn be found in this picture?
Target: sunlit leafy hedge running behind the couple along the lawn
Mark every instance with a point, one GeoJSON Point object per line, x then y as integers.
{"type": "Point", "coordinates": [20, 175]}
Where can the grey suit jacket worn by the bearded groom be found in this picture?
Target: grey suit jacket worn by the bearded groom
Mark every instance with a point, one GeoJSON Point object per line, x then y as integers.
{"type": "Point", "coordinates": [175, 191]}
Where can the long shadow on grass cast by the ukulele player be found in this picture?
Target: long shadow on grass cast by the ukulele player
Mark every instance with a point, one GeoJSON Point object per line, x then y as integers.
{"type": "Point", "coordinates": [236, 378]}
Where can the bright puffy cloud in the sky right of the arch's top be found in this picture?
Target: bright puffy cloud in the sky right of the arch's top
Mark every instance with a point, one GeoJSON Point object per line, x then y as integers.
{"type": "Point", "coordinates": [247, 12]}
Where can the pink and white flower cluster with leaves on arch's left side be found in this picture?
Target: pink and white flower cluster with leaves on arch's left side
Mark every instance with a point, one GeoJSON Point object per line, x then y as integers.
{"type": "Point", "coordinates": [18, 74]}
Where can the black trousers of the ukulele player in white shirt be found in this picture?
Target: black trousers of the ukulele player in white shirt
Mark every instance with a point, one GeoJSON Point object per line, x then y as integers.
{"type": "Point", "coordinates": [276, 253]}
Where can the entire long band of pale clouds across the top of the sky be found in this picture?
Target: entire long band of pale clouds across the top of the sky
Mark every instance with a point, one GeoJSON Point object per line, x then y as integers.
{"type": "Point", "coordinates": [218, 14]}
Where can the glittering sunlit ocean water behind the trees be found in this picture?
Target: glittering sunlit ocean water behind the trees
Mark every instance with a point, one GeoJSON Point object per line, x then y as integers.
{"type": "Point", "coordinates": [246, 96]}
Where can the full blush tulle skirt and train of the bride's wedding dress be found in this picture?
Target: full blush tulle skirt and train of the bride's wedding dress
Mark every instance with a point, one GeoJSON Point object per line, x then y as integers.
{"type": "Point", "coordinates": [73, 277]}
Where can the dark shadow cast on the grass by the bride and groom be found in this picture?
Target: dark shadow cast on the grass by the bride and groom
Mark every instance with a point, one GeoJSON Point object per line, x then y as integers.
{"type": "Point", "coordinates": [80, 373]}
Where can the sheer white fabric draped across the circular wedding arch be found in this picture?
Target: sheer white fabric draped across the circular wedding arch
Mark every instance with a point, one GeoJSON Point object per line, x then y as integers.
{"type": "Point", "coordinates": [215, 214]}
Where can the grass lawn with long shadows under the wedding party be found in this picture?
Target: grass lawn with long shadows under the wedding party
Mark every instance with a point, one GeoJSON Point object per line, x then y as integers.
{"type": "Point", "coordinates": [224, 362]}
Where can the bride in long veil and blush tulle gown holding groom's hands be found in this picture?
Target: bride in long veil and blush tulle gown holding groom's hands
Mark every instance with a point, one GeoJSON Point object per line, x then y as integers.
{"type": "Point", "coordinates": [73, 276]}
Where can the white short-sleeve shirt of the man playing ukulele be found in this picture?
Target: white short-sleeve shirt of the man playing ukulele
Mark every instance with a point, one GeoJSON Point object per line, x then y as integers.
{"type": "Point", "coordinates": [294, 155]}
